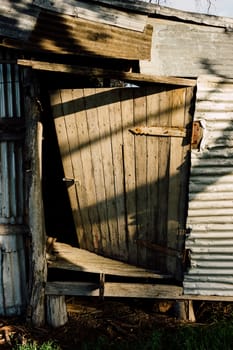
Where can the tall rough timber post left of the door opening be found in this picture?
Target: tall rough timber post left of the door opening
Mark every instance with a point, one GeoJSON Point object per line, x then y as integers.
{"type": "Point", "coordinates": [38, 267]}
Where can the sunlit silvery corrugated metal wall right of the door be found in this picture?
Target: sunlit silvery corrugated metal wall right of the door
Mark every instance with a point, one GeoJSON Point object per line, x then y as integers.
{"type": "Point", "coordinates": [210, 214]}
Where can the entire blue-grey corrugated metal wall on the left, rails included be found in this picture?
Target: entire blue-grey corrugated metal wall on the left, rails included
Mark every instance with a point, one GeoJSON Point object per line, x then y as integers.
{"type": "Point", "coordinates": [12, 254]}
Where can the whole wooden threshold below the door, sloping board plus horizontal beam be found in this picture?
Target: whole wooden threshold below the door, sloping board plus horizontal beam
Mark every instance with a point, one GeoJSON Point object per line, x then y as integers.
{"type": "Point", "coordinates": [70, 258]}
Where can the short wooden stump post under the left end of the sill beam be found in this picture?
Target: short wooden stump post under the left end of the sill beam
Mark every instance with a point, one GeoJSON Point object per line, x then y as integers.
{"type": "Point", "coordinates": [56, 310]}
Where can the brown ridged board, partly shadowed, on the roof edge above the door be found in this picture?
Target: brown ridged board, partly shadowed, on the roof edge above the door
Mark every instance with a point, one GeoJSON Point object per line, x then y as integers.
{"type": "Point", "coordinates": [63, 34]}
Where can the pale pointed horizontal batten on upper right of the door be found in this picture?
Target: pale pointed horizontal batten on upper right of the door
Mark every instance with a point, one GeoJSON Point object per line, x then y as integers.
{"type": "Point", "coordinates": [159, 131]}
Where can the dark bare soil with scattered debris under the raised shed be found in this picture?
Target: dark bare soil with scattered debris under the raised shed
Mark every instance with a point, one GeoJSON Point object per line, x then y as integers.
{"type": "Point", "coordinates": [115, 320]}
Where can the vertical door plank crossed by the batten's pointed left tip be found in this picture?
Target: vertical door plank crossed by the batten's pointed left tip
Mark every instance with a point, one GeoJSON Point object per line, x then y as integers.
{"type": "Point", "coordinates": [140, 173]}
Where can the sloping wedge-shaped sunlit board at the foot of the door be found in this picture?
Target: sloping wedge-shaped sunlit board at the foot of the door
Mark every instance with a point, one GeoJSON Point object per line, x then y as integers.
{"type": "Point", "coordinates": [75, 259]}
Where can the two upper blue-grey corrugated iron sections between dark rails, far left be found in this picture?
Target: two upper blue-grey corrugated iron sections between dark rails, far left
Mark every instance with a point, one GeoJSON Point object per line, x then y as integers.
{"type": "Point", "coordinates": [11, 153]}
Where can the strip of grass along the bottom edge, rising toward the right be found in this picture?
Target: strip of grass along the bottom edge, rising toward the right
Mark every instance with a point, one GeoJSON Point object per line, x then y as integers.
{"type": "Point", "coordinates": [216, 334]}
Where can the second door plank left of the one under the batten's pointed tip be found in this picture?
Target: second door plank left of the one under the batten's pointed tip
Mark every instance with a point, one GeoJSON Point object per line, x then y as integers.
{"type": "Point", "coordinates": [119, 246]}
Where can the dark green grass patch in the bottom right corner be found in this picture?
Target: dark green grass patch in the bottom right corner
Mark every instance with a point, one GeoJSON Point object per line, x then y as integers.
{"type": "Point", "coordinates": [217, 336]}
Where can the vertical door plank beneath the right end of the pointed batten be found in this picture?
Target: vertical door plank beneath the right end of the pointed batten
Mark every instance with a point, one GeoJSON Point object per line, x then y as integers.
{"type": "Point", "coordinates": [176, 157]}
